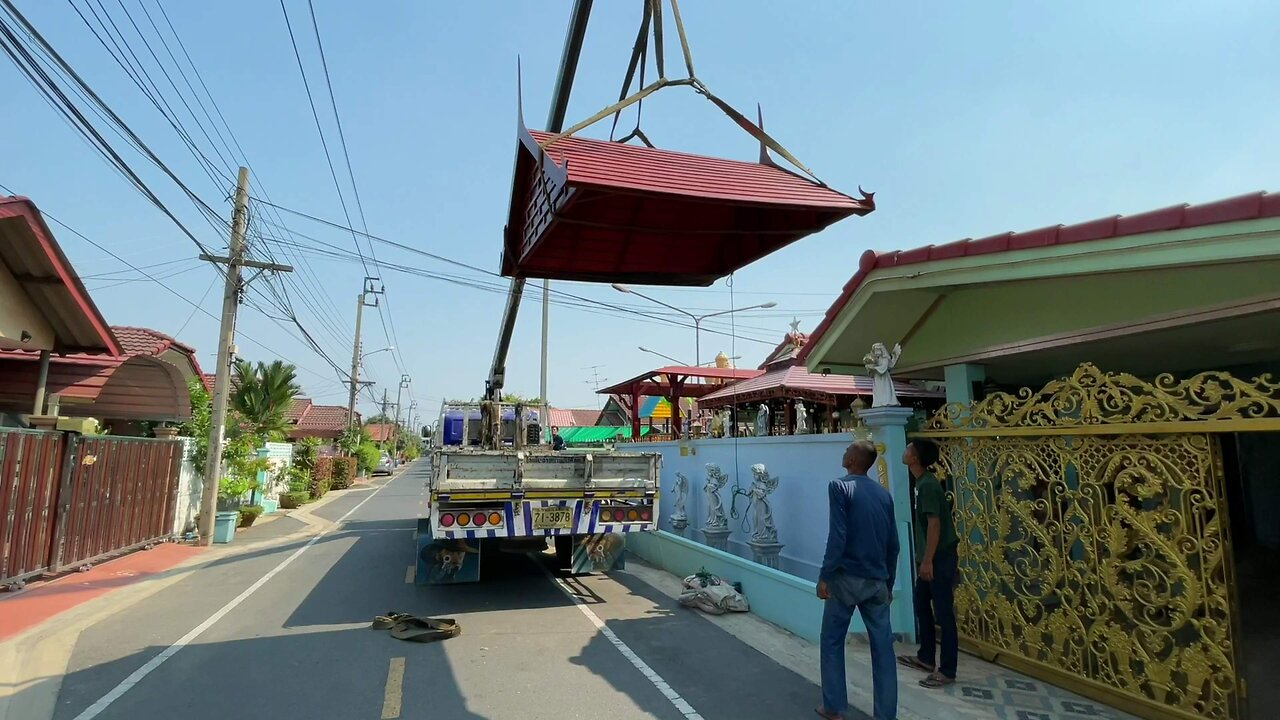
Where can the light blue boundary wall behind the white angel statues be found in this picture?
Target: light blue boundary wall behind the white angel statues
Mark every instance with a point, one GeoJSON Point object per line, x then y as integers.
{"type": "Point", "coordinates": [804, 466]}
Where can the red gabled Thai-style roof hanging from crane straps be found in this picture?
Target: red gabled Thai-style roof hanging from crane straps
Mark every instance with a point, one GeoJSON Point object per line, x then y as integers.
{"type": "Point", "coordinates": [605, 212]}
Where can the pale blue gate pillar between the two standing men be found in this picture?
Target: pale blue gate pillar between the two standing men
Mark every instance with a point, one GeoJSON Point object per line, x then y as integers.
{"type": "Point", "coordinates": [889, 434]}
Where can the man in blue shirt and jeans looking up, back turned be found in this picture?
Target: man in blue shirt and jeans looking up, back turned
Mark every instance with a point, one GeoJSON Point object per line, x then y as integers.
{"type": "Point", "coordinates": [858, 572]}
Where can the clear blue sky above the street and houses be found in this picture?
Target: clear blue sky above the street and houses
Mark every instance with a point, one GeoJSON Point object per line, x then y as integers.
{"type": "Point", "coordinates": [967, 120]}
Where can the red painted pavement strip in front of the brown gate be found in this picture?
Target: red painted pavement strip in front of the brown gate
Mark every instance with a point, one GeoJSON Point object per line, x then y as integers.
{"type": "Point", "coordinates": [39, 603]}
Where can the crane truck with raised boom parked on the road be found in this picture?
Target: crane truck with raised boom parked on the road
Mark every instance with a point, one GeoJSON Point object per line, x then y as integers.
{"type": "Point", "coordinates": [502, 487]}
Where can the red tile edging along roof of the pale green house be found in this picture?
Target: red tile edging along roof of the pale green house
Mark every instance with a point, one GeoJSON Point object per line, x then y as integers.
{"type": "Point", "coordinates": [1254, 206]}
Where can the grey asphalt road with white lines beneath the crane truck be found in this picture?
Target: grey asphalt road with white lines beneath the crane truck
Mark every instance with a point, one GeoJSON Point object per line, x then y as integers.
{"type": "Point", "coordinates": [248, 639]}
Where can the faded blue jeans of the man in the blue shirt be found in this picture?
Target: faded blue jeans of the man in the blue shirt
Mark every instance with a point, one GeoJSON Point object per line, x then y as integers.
{"type": "Point", "coordinates": [871, 599]}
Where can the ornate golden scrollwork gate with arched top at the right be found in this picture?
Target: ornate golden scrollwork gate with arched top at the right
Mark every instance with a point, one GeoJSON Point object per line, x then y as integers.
{"type": "Point", "coordinates": [1095, 548]}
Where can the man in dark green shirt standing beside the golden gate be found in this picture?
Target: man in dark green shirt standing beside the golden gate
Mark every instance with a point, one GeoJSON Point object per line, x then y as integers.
{"type": "Point", "coordinates": [936, 578]}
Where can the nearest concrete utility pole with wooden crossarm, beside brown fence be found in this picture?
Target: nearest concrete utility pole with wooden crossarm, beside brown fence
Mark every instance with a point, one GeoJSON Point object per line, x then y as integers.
{"type": "Point", "coordinates": [232, 291]}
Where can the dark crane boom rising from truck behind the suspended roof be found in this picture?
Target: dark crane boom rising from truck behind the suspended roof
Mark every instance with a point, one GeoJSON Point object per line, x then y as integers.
{"type": "Point", "coordinates": [555, 124]}
